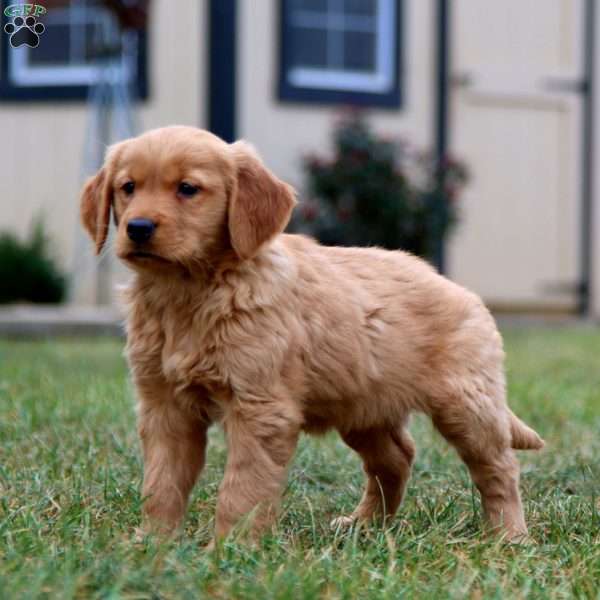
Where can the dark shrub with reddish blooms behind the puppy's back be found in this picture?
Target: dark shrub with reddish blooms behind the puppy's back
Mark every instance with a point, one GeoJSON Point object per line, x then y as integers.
{"type": "Point", "coordinates": [375, 192]}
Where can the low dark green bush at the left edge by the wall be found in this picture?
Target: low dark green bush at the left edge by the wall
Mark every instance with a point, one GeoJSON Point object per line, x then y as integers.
{"type": "Point", "coordinates": [27, 271]}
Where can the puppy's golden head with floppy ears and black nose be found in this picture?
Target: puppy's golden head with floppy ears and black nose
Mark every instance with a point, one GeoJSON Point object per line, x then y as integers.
{"type": "Point", "coordinates": [180, 195]}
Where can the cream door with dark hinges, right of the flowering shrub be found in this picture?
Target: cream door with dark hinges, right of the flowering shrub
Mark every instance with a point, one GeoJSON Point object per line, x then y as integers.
{"type": "Point", "coordinates": [516, 121]}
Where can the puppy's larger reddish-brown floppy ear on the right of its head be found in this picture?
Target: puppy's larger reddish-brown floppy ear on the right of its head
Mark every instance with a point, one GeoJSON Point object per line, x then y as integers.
{"type": "Point", "coordinates": [260, 205]}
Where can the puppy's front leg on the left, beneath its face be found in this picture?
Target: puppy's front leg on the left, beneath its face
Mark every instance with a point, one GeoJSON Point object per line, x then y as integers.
{"type": "Point", "coordinates": [174, 444]}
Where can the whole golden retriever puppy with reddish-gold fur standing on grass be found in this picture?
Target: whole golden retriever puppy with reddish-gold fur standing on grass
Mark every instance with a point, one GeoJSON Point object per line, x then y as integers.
{"type": "Point", "coordinates": [230, 321]}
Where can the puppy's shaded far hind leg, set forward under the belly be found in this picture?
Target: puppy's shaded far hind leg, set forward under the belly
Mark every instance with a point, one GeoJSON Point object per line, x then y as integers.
{"type": "Point", "coordinates": [387, 458]}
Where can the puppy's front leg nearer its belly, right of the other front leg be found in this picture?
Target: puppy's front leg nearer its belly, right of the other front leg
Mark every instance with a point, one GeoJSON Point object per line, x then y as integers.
{"type": "Point", "coordinates": [261, 439]}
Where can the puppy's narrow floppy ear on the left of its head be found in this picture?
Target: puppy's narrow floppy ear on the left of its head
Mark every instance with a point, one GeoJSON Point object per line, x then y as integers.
{"type": "Point", "coordinates": [96, 200]}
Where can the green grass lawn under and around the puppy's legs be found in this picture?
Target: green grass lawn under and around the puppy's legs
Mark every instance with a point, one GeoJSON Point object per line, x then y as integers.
{"type": "Point", "coordinates": [70, 476]}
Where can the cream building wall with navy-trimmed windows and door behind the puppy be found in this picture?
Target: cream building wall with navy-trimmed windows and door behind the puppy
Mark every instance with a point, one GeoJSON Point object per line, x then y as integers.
{"type": "Point", "coordinates": [522, 112]}
